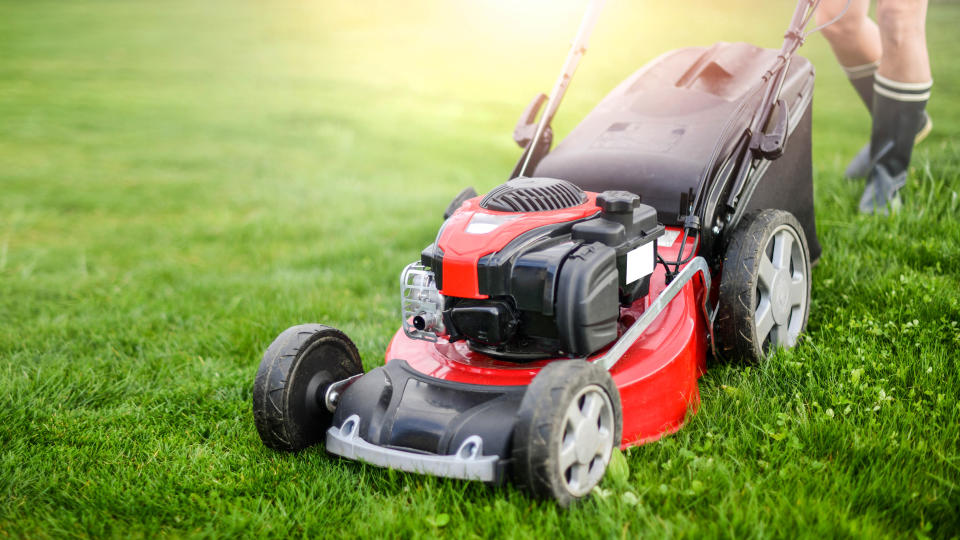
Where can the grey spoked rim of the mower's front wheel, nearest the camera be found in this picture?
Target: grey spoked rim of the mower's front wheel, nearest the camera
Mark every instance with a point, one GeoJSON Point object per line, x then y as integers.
{"type": "Point", "coordinates": [587, 440]}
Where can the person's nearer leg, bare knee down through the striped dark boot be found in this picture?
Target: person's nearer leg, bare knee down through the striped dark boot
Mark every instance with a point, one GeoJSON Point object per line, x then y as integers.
{"type": "Point", "coordinates": [901, 90]}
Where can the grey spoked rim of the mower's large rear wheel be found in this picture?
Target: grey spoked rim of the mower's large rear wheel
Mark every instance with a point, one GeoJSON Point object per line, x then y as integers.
{"type": "Point", "coordinates": [781, 290]}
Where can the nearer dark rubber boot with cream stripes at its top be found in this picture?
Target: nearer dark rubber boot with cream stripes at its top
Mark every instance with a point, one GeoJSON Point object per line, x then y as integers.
{"type": "Point", "coordinates": [898, 115]}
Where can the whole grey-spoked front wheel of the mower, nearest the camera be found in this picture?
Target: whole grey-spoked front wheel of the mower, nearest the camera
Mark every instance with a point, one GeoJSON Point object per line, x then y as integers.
{"type": "Point", "coordinates": [568, 424]}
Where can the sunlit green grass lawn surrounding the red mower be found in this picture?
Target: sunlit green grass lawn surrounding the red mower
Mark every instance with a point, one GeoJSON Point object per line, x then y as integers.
{"type": "Point", "coordinates": [180, 181]}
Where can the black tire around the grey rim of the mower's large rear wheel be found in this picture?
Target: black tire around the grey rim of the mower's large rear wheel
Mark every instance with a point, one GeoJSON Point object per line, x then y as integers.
{"type": "Point", "coordinates": [735, 327]}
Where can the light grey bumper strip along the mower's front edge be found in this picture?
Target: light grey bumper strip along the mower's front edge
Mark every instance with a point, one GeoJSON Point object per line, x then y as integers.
{"type": "Point", "coordinates": [468, 463]}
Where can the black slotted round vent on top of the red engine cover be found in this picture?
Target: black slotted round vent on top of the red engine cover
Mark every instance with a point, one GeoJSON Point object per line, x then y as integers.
{"type": "Point", "coordinates": [533, 195]}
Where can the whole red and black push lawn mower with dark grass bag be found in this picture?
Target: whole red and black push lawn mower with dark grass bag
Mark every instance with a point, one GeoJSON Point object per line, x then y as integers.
{"type": "Point", "coordinates": [431, 408]}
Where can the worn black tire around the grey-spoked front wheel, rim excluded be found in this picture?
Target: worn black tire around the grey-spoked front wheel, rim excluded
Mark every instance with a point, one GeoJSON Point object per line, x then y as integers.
{"type": "Point", "coordinates": [539, 429]}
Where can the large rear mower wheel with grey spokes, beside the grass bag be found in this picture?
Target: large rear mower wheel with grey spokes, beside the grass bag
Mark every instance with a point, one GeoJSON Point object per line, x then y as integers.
{"type": "Point", "coordinates": [764, 297]}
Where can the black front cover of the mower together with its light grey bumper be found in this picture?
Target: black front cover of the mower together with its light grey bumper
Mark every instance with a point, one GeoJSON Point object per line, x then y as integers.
{"type": "Point", "coordinates": [394, 416]}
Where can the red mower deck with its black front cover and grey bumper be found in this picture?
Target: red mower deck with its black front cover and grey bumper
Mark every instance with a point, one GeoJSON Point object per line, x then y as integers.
{"type": "Point", "coordinates": [438, 391]}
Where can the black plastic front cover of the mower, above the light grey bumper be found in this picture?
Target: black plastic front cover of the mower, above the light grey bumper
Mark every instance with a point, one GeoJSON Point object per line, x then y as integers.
{"type": "Point", "coordinates": [404, 409]}
